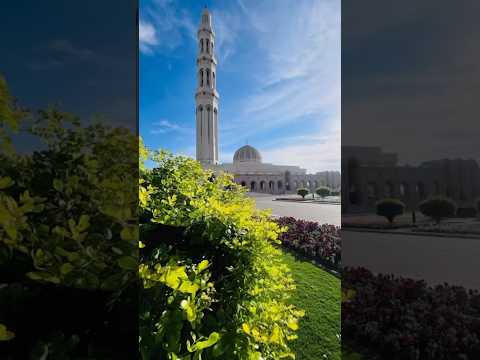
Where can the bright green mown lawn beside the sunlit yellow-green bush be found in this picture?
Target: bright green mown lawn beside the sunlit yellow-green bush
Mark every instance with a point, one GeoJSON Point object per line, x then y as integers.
{"type": "Point", "coordinates": [318, 294]}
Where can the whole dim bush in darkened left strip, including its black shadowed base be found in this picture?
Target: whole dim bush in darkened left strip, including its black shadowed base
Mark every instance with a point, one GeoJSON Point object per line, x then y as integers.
{"type": "Point", "coordinates": [68, 225]}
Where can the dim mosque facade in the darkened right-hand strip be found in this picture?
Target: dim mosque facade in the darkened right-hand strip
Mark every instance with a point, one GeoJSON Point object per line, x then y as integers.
{"type": "Point", "coordinates": [370, 174]}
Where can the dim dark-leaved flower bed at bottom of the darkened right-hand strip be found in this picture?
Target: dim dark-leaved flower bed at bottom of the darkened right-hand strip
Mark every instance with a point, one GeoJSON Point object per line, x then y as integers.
{"type": "Point", "coordinates": [401, 318]}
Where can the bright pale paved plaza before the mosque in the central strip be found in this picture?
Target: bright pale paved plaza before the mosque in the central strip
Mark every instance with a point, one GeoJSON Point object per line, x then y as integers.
{"type": "Point", "coordinates": [322, 213]}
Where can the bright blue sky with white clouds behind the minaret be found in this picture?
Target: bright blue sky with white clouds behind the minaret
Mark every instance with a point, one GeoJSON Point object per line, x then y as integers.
{"type": "Point", "coordinates": [278, 76]}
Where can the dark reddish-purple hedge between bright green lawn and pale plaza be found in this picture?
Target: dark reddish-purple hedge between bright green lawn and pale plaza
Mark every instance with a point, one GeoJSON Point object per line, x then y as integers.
{"type": "Point", "coordinates": [319, 242]}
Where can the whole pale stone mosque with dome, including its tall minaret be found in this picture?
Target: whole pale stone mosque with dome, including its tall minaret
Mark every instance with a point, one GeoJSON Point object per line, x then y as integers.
{"type": "Point", "coordinates": [247, 167]}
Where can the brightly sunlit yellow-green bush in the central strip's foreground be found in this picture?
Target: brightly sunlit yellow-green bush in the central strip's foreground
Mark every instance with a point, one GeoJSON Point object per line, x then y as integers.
{"type": "Point", "coordinates": [214, 284]}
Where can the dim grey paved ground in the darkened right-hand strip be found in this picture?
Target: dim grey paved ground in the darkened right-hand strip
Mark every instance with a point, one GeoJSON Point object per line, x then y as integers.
{"type": "Point", "coordinates": [431, 258]}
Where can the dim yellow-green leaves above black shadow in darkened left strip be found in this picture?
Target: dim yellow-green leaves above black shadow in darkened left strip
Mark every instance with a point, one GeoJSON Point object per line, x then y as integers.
{"type": "Point", "coordinates": [69, 208]}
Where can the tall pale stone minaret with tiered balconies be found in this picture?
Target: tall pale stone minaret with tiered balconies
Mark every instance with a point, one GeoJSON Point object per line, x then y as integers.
{"type": "Point", "coordinates": [206, 96]}
